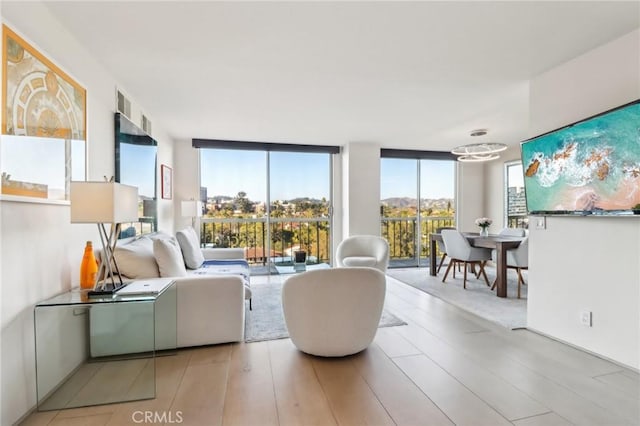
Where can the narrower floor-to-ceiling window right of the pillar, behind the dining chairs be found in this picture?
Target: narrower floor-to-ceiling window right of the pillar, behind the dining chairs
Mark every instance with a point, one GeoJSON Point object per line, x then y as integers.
{"type": "Point", "coordinates": [417, 196]}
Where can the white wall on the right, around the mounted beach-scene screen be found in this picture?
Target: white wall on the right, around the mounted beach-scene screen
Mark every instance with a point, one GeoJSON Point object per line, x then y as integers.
{"type": "Point", "coordinates": [587, 263]}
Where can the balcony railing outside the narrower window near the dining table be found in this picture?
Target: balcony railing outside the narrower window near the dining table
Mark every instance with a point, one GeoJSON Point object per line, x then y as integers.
{"type": "Point", "coordinates": [400, 232]}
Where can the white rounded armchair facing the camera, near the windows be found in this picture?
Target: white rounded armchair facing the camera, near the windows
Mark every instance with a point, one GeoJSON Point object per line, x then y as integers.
{"type": "Point", "coordinates": [363, 250]}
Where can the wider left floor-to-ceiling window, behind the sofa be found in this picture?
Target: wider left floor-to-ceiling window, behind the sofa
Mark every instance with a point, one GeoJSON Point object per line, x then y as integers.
{"type": "Point", "coordinates": [272, 203]}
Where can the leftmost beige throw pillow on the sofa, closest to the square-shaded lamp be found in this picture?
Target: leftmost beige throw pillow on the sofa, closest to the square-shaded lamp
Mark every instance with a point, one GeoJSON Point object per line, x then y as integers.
{"type": "Point", "coordinates": [136, 260]}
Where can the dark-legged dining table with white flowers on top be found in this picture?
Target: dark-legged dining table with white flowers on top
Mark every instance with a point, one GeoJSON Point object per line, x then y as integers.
{"type": "Point", "coordinates": [501, 243]}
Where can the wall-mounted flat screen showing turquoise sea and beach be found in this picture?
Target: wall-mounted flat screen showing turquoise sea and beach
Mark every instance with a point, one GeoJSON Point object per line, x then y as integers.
{"type": "Point", "coordinates": [588, 167]}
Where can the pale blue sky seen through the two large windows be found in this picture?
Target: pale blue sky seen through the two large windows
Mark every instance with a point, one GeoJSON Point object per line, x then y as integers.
{"type": "Point", "coordinates": [227, 172]}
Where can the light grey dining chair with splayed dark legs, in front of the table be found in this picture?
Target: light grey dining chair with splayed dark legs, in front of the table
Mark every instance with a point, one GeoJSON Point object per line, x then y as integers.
{"type": "Point", "coordinates": [461, 251]}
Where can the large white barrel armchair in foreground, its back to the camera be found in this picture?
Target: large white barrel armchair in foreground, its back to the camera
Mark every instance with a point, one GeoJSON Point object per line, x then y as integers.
{"type": "Point", "coordinates": [333, 312]}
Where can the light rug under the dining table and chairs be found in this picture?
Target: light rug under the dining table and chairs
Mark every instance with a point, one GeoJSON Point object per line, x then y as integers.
{"type": "Point", "coordinates": [478, 299]}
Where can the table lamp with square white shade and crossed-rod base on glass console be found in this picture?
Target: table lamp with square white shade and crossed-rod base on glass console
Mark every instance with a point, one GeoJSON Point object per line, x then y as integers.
{"type": "Point", "coordinates": [102, 203]}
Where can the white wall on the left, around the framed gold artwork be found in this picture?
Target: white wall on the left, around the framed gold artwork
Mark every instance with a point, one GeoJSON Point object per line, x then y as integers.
{"type": "Point", "coordinates": [41, 250]}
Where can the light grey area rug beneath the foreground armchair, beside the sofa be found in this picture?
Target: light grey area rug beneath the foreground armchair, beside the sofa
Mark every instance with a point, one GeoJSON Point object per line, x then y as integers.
{"type": "Point", "coordinates": [266, 320]}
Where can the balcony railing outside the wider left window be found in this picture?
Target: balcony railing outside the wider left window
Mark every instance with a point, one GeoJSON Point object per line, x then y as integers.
{"type": "Point", "coordinates": [287, 236]}
